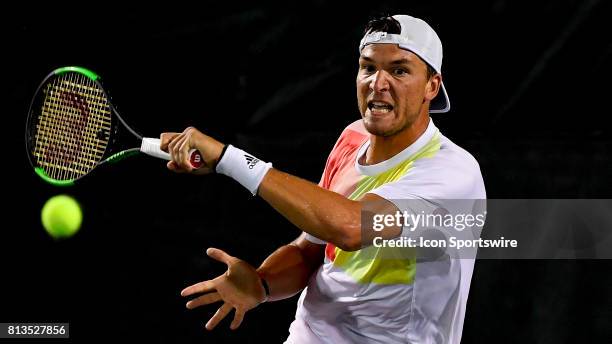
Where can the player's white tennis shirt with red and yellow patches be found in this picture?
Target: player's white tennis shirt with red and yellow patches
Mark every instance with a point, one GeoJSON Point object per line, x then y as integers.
{"type": "Point", "coordinates": [355, 297]}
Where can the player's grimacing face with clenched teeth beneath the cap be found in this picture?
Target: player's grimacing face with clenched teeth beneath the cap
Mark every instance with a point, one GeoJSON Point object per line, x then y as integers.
{"type": "Point", "coordinates": [392, 86]}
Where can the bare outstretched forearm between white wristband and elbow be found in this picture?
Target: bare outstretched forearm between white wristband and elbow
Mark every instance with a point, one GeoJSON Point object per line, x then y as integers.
{"type": "Point", "coordinates": [319, 212]}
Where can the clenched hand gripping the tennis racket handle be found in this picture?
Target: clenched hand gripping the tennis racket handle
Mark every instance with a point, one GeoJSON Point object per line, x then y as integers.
{"type": "Point", "coordinates": [178, 145]}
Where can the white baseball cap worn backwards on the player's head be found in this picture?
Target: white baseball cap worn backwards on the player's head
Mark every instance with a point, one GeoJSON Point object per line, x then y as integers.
{"type": "Point", "coordinates": [419, 38]}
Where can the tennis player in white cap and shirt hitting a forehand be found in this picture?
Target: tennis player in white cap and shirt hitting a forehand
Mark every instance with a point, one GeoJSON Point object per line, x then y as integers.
{"type": "Point", "coordinates": [394, 151]}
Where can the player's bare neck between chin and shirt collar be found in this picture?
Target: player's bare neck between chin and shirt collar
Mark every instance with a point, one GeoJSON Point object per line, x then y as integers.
{"type": "Point", "coordinates": [383, 148]}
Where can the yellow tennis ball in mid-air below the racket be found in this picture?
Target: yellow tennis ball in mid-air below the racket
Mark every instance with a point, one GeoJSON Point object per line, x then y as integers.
{"type": "Point", "coordinates": [61, 216]}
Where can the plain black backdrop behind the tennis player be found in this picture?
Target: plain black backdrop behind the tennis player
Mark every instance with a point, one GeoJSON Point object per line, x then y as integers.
{"type": "Point", "coordinates": [528, 83]}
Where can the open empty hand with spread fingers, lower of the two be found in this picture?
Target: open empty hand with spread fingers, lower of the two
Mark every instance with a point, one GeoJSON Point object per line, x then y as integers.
{"type": "Point", "coordinates": [239, 288]}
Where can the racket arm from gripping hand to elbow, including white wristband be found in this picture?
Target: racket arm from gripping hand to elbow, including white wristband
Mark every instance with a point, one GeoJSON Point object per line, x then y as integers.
{"type": "Point", "coordinates": [322, 213]}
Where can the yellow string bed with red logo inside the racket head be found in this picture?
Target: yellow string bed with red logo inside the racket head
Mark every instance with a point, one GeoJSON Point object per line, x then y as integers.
{"type": "Point", "coordinates": [73, 127]}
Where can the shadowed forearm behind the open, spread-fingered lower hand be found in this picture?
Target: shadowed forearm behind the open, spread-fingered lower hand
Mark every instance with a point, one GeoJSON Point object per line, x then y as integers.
{"type": "Point", "coordinates": [287, 271]}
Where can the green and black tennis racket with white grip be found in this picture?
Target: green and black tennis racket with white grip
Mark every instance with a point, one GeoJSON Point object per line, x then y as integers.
{"type": "Point", "coordinates": [72, 128]}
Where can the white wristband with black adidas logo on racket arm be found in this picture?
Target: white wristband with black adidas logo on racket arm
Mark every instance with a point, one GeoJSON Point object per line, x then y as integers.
{"type": "Point", "coordinates": [243, 168]}
